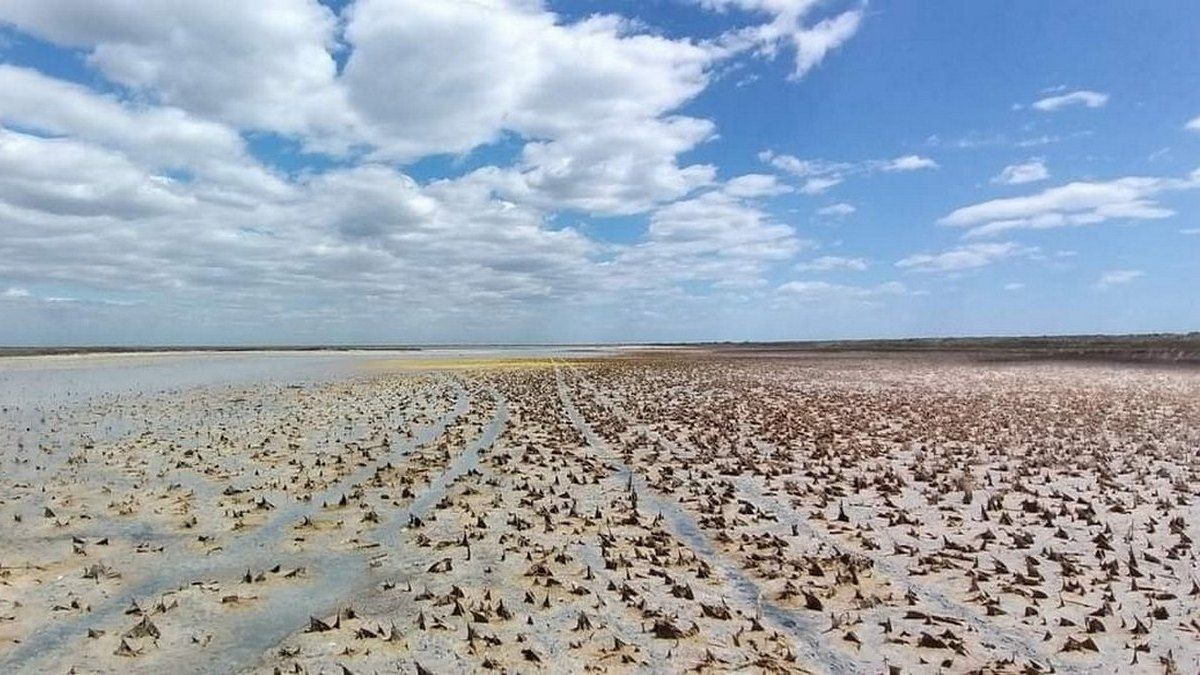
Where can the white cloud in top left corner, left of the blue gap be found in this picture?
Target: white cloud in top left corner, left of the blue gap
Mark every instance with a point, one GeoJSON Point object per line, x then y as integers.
{"type": "Point", "coordinates": [262, 65]}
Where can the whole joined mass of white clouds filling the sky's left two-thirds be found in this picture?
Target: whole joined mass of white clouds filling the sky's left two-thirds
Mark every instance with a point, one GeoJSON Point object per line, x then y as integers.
{"type": "Point", "coordinates": [146, 183]}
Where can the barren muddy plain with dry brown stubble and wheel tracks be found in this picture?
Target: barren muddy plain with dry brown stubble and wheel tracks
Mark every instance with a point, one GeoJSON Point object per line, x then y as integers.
{"type": "Point", "coordinates": [565, 511]}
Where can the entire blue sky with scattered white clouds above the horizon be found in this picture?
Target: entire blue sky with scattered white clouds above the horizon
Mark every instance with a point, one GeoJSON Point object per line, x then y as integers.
{"type": "Point", "coordinates": [188, 172]}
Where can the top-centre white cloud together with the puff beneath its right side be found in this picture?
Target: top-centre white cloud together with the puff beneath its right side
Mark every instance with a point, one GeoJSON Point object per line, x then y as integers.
{"type": "Point", "coordinates": [593, 99]}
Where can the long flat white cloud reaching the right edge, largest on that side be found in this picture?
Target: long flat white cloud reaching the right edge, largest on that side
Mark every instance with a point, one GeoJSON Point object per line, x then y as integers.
{"type": "Point", "coordinates": [1072, 205]}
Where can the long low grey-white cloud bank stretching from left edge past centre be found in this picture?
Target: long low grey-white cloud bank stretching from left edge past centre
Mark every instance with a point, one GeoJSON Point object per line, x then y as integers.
{"type": "Point", "coordinates": [365, 238]}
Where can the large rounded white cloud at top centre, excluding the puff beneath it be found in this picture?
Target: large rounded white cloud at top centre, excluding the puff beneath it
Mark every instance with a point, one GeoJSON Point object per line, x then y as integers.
{"type": "Point", "coordinates": [507, 67]}
